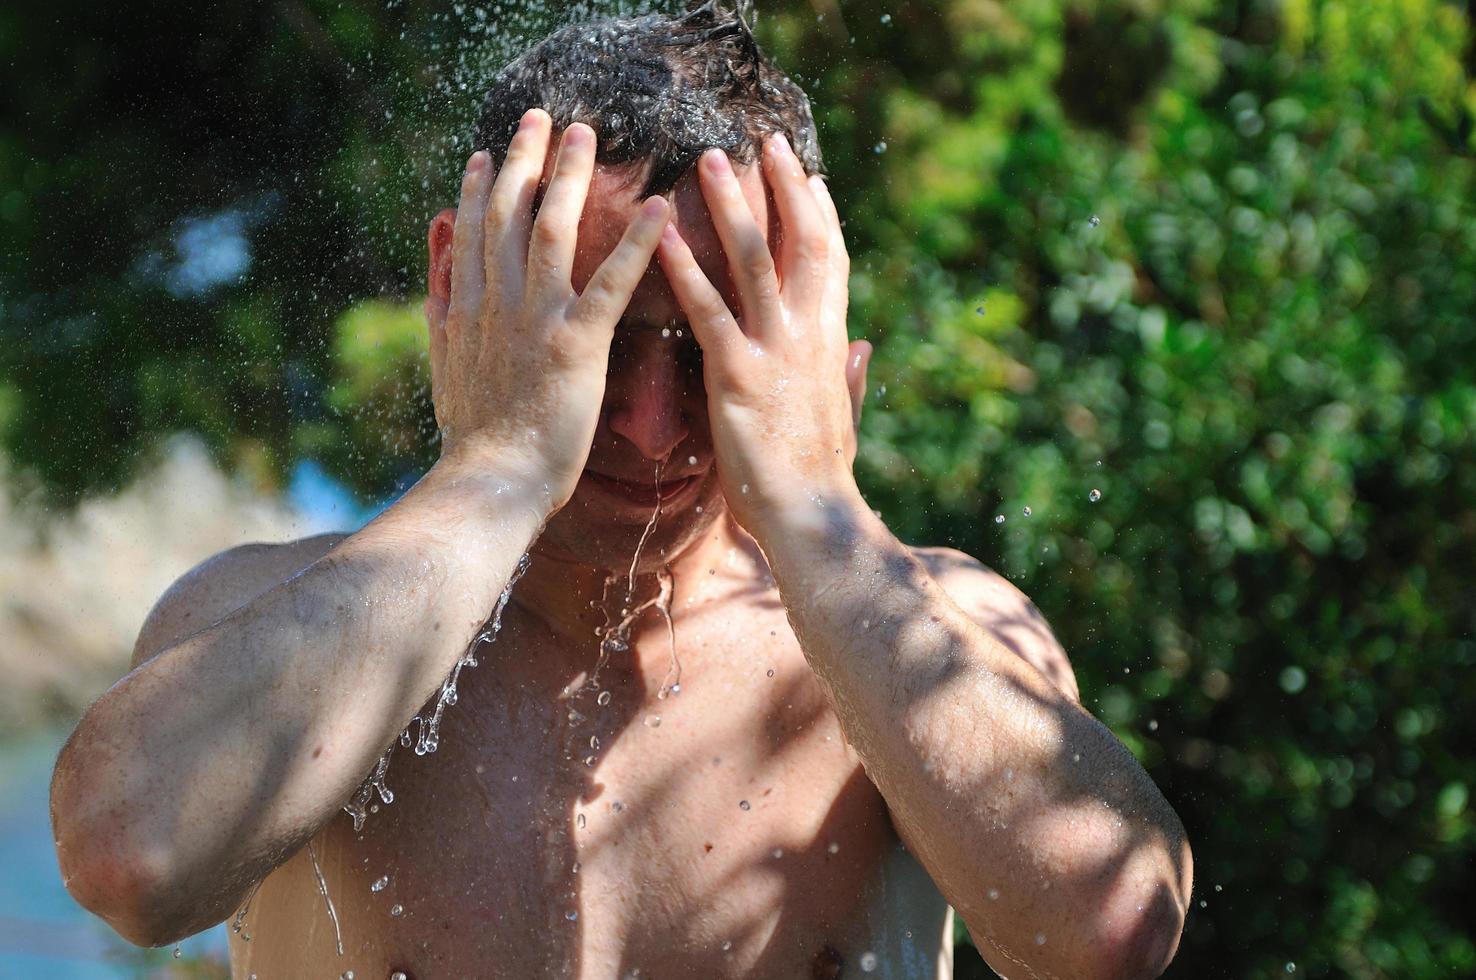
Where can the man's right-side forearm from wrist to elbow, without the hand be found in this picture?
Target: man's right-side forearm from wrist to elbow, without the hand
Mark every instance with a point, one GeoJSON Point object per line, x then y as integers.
{"type": "Point", "coordinates": [1037, 823]}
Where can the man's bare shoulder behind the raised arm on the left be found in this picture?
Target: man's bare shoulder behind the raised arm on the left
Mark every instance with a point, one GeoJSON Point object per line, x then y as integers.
{"type": "Point", "coordinates": [224, 584]}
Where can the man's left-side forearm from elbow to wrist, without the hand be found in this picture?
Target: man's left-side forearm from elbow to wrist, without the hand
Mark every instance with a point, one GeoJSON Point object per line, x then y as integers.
{"type": "Point", "coordinates": [215, 761]}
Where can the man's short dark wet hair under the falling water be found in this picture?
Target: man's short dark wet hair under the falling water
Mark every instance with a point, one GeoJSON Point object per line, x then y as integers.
{"type": "Point", "coordinates": [658, 89]}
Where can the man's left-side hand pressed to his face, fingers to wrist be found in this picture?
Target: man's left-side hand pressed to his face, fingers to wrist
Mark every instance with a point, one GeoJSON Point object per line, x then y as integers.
{"type": "Point", "coordinates": [519, 359]}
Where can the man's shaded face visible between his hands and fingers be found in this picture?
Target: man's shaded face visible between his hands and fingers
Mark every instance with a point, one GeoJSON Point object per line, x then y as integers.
{"type": "Point", "coordinates": [656, 407]}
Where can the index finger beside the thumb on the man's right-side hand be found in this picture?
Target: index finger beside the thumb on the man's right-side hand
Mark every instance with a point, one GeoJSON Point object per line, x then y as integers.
{"type": "Point", "coordinates": [749, 258]}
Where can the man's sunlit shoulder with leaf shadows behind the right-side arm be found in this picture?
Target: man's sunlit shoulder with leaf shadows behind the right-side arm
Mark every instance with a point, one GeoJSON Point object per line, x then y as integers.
{"type": "Point", "coordinates": [1000, 607]}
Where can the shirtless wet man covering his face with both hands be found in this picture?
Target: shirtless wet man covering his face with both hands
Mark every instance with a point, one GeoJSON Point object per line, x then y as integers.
{"type": "Point", "coordinates": [863, 734]}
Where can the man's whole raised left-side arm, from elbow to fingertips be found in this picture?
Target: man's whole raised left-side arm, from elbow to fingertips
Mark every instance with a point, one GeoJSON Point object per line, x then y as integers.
{"type": "Point", "coordinates": [227, 750]}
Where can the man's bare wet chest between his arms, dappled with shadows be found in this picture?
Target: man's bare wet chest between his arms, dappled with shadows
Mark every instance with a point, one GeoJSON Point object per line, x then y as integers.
{"type": "Point", "coordinates": [575, 830]}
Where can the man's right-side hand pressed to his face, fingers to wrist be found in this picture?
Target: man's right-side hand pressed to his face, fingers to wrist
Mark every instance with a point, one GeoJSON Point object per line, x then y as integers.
{"type": "Point", "coordinates": [784, 390]}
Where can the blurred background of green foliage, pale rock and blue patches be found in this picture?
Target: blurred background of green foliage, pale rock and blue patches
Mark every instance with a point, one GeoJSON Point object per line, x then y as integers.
{"type": "Point", "coordinates": [1213, 265]}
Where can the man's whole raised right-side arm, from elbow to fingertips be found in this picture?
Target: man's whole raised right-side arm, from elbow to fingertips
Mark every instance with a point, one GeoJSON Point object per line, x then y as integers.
{"type": "Point", "coordinates": [1037, 824]}
